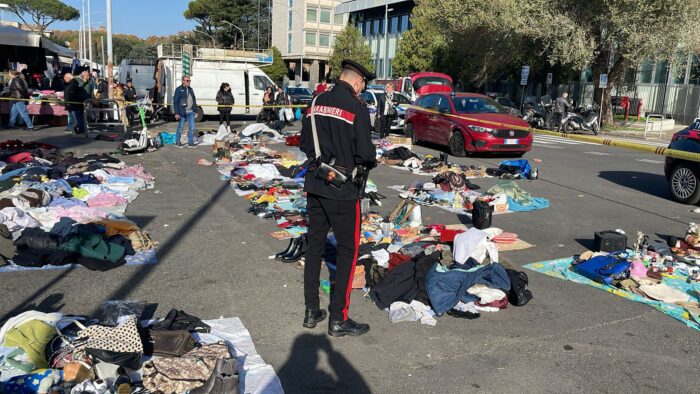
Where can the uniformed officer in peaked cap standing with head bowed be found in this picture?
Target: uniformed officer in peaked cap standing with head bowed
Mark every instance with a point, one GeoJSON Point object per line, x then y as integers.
{"type": "Point", "coordinates": [337, 129]}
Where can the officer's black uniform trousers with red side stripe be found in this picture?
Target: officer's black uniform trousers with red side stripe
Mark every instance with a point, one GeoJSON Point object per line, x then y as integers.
{"type": "Point", "coordinates": [344, 217]}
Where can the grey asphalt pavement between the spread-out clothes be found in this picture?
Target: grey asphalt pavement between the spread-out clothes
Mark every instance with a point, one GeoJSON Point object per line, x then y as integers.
{"type": "Point", "coordinates": [214, 261]}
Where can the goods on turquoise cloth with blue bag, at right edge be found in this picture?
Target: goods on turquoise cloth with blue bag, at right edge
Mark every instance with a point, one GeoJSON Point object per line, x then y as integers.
{"type": "Point", "coordinates": [664, 274]}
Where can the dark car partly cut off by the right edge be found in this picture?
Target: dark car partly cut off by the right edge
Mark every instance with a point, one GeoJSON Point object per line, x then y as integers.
{"type": "Point", "coordinates": [683, 176]}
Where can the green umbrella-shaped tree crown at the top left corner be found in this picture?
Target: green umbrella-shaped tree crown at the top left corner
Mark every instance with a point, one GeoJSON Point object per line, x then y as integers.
{"type": "Point", "coordinates": [42, 12]}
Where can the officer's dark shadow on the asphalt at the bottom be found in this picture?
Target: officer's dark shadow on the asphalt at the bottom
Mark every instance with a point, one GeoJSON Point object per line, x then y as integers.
{"type": "Point", "coordinates": [306, 371]}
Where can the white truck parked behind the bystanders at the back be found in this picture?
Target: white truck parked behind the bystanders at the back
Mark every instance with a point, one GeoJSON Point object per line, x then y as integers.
{"type": "Point", "coordinates": [209, 68]}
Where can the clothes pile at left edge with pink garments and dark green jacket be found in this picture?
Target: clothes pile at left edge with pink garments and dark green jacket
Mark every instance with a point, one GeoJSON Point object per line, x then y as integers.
{"type": "Point", "coordinates": [57, 209]}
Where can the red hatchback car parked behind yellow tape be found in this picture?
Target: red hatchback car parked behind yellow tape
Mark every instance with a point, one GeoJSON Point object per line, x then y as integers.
{"type": "Point", "coordinates": [467, 123]}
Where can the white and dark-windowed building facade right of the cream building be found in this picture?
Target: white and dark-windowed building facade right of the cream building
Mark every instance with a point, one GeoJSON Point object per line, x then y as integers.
{"type": "Point", "coordinates": [381, 22]}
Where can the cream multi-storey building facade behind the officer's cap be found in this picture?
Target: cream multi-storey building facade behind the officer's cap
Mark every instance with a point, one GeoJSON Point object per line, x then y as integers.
{"type": "Point", "coordinates": [304, 32]}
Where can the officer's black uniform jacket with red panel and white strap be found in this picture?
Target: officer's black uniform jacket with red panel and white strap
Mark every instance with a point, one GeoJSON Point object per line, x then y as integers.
{"type": "Point", "coordinates": [343, 127]}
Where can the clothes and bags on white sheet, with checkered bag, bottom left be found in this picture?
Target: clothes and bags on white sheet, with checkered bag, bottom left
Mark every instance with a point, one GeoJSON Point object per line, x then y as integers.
{"type": "Point", "coordinates": [119, 353]}
